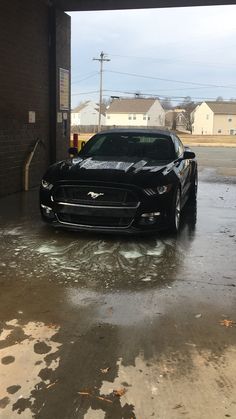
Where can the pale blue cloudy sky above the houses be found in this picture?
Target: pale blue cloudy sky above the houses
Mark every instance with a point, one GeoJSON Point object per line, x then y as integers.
{"type": "Point", "coordinates": [193, 48]}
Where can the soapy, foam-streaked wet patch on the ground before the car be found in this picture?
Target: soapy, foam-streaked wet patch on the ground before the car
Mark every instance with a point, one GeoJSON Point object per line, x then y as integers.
{"type": "Point", "coordinates": [93, 260]}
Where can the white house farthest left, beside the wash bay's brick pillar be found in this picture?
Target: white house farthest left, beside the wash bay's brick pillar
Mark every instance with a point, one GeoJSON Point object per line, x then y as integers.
{"type": "Point", "coordinates": [87, 114]}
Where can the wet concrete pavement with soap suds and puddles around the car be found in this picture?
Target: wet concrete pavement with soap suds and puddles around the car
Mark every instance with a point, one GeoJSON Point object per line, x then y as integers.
{"type": "Point", "coordinates": [98, 327]}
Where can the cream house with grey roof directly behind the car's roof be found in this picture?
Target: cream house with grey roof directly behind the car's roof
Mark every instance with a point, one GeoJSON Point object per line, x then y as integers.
{"type": "Point", "coordinates": [136, 112]}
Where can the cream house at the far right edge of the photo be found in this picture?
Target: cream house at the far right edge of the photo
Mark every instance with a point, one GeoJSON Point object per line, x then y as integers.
{"type": "Point", "coordinates": [214, 118]}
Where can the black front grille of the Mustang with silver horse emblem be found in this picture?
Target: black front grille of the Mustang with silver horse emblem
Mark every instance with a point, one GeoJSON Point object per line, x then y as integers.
{"type": "Point", "coordinates": [97, 206]}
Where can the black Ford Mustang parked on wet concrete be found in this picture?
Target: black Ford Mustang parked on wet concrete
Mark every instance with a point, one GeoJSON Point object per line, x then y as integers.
{"type": "Point", "coordinates": [123, 180]}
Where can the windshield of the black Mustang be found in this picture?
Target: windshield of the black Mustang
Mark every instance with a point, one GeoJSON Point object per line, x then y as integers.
{"type": "Point", "coordinates": [143, 146]}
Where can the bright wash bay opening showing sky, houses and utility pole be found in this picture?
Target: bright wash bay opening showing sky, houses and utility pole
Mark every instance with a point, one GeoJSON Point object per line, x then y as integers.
{"type": "Point", "coordinates": [170, 68]}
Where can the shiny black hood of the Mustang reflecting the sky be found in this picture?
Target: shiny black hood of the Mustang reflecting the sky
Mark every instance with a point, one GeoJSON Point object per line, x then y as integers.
{"type": "Point", "coordinates": [124, 170]}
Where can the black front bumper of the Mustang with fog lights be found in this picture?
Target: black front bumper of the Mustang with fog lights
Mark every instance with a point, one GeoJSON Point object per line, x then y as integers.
{"type": "Point", "coordinates": [148, 214]}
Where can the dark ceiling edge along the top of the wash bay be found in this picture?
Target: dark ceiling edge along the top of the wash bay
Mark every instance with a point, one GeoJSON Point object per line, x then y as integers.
{"type": "Point", "coordinates": [80, 5]}
